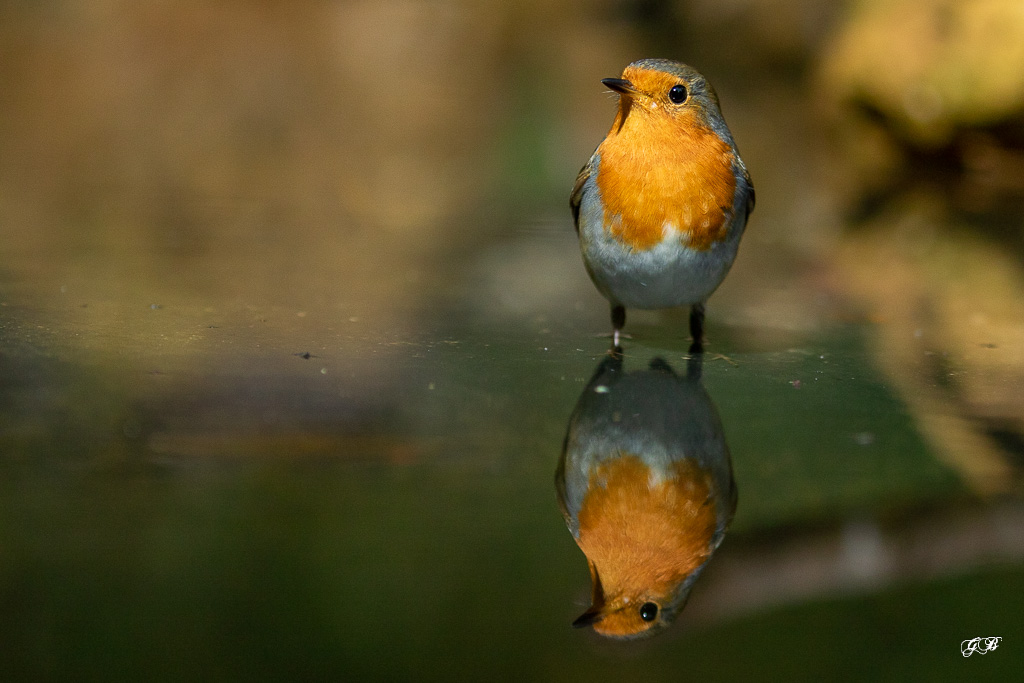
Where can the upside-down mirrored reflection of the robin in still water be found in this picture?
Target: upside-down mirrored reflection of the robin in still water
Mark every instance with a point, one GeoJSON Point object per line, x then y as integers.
{"type": "Point", "coordinates": [646, 485]}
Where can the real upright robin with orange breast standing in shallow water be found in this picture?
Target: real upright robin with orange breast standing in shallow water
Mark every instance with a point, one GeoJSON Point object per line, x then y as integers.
{"type": "Point", "coordinates": [662, 204]}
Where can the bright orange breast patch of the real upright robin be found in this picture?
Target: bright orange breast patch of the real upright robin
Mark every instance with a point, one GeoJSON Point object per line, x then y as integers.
{"type": "Point", "coordinates": [657, 169]}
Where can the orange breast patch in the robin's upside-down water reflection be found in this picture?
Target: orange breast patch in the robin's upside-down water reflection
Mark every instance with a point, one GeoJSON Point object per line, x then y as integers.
{"type": "Point", "coordinates": [646, 532]}
